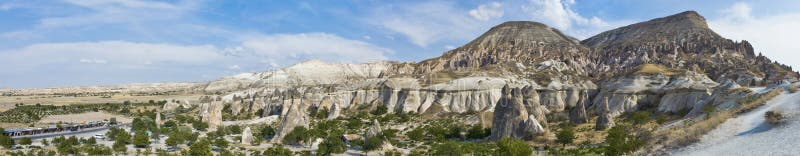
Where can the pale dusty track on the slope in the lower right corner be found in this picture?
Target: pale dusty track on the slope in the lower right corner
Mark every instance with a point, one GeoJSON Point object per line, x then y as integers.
{"type": "Point", "coordinates": [749, 134]}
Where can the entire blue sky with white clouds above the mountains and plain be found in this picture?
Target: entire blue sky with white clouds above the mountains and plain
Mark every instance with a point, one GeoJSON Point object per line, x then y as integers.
{"type": "Point", "coordinates": [106, 42]}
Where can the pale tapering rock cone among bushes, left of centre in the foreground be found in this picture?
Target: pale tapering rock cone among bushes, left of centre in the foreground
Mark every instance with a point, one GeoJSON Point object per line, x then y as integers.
{"type": "Point", "coordinates": [295, 116]}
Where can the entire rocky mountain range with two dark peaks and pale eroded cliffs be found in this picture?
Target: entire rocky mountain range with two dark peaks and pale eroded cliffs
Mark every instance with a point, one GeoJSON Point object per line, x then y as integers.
{"type": "Point", "coordinates": [522, 72]}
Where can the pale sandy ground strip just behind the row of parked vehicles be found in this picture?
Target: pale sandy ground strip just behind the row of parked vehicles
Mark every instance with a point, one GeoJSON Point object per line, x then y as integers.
{"type": "Point", "coordinates": [84, 117]}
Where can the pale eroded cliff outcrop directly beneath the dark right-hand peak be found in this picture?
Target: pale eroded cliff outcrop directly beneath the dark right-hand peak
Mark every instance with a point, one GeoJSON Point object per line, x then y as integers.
{"type": "Point", "coordinates": [670, 90]}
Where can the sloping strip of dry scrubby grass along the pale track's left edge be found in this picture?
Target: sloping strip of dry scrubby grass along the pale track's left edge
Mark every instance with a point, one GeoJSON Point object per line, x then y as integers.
{"type": "Point", "coordinates": [690, 133]}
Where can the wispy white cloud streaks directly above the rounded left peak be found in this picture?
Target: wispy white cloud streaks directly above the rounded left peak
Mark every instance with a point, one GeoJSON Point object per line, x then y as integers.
{"type": "Point", "coordinates": [440, 22]}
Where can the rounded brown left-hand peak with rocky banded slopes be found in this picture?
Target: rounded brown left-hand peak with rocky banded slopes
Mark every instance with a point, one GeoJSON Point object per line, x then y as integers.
{"type": "Point", "coordinates": [516, 42]}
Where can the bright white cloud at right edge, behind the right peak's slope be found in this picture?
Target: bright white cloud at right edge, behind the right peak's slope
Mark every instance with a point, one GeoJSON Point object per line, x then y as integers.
{"type": "Point", "coordinates": [773, 35]}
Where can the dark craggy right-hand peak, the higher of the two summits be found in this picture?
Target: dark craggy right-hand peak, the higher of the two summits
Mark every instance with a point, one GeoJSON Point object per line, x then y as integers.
{"type": "Point", "coordinates": [685, 41]}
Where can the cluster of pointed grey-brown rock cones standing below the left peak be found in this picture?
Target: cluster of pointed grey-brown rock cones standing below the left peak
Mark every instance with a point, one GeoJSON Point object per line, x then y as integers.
{"type": "Point", "coordinates": [511, 118]}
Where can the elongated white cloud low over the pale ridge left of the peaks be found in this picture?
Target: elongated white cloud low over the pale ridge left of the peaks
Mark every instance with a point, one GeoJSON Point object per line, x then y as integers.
{"type": "Point", "coordinates": [286, 49]}
